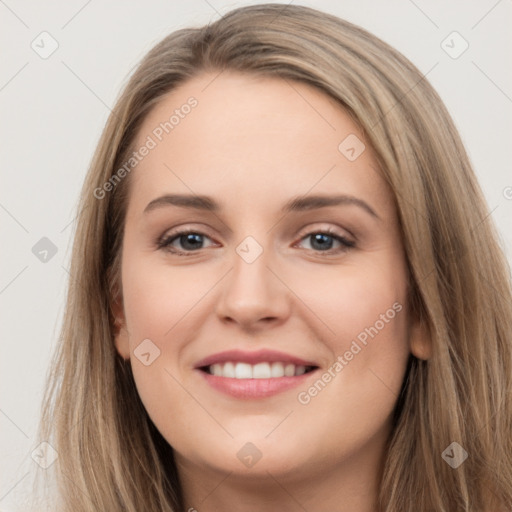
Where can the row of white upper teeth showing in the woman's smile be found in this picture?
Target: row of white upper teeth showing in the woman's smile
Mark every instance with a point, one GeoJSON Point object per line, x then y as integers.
{"type": "Point", "coordinates": [256, 371]}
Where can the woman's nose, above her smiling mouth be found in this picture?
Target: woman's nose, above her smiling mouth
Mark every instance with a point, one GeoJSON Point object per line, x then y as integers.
{"type": "Point", "coordinates": [253, 295]}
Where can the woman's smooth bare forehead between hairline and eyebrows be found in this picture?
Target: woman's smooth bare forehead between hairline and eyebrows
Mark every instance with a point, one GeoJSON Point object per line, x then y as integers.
{"type": "Point", "coordinates": [236, 132]}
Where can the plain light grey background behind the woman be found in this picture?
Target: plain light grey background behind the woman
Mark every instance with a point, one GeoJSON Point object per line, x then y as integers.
{"type": "Point", "coordinates": [53, 111]}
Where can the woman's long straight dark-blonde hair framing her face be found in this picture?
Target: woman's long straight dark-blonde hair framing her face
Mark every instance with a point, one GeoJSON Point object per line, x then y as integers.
{"type": "Point", "coordinates": [112, 457]}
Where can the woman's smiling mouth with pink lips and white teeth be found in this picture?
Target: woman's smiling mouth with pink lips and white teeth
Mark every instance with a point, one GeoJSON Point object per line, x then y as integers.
{"type": "Point", "coordinates": [254, 375]}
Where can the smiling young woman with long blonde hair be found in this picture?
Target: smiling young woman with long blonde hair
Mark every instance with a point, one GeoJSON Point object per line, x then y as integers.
{"type": "Point", "coordinates": [286, 291]}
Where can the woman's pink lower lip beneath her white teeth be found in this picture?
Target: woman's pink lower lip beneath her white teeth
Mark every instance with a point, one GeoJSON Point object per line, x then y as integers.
{"type": "Point", "coordinates": [254, 388]}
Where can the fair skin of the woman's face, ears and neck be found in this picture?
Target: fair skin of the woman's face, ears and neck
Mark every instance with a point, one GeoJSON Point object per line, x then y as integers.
{"type": "Point", "coordinates": [252, 144]}
